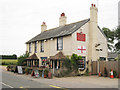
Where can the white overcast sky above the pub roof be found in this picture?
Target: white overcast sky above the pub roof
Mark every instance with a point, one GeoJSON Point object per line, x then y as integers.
{"type": "Point", "coordinates": [20, 20]}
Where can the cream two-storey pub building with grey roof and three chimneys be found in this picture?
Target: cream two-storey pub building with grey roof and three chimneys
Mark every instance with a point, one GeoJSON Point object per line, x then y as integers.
{"type": "Point", "coordinates": [84, 38]}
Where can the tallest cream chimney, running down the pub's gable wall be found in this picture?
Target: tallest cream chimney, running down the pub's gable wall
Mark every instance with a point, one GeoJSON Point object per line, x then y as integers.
{"type": "Point", "coordinates": [93, 35]}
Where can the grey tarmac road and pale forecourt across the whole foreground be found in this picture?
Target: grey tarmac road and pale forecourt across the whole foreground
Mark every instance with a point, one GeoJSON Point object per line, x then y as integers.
{"type": "Point", "coordinates": [26, 82]}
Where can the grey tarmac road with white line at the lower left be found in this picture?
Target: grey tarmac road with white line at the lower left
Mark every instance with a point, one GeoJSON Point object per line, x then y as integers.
{"type": "Point", "coordinates": [11, 80]}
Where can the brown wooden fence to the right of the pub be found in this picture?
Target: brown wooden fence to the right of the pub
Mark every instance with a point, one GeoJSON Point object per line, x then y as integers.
{"type": "Point", "coordinates": [98, 66]}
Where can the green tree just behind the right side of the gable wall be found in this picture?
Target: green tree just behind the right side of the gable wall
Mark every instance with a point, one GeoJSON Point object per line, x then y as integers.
{"type": "Point", "coordinates": [110, 37]}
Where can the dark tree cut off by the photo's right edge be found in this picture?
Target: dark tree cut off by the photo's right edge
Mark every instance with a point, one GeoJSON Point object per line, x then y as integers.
{"type": "Point", "coordinates": [117, 37]}
